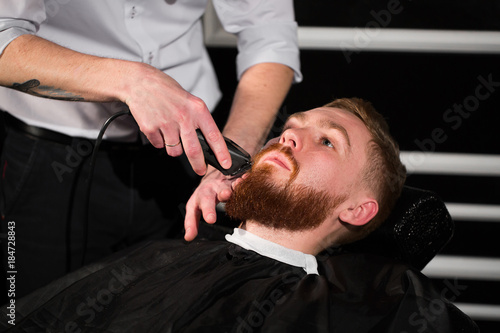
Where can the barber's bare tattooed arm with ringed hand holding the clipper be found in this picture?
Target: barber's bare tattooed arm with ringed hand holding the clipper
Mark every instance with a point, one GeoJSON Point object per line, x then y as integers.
{"type": "Point", "coordinates": [165, 112]}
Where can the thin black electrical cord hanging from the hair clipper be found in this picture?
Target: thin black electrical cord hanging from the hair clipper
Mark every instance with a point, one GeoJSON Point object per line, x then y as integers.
{"type": "Point", "coordinates": [90, 175]}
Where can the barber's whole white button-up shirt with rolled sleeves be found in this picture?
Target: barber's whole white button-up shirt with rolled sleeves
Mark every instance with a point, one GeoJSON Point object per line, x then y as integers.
{"type": "Point", "coordinates": [164, 33]}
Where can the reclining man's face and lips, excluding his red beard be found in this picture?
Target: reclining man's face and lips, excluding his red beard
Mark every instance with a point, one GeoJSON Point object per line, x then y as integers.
{"type": "Point", "coordinates": [329, 146]}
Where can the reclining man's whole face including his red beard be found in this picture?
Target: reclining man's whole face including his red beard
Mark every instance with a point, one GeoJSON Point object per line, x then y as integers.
{"type": "Point", "coordinates": [297, 182]}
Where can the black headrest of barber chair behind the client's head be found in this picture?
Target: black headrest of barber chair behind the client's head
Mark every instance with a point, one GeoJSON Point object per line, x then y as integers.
{"type": "Point", "coordinates": [417, 229]}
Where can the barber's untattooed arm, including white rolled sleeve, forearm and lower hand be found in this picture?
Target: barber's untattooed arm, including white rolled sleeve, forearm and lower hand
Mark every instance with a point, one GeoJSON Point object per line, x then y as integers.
{"type": "Point", "coordinates": [267, 64]}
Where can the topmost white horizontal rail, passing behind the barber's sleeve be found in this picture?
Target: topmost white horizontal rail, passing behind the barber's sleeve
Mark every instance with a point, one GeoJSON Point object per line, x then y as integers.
{"type": "Point", "coordinates": [372, 37]}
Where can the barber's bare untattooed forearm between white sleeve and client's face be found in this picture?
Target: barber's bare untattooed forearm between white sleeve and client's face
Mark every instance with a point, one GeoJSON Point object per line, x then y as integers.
{"type": "Point", "coordinates": [259, 95]}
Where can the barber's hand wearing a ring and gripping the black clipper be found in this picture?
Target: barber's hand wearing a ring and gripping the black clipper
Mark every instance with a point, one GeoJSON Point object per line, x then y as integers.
{"type": "Point", "coordinates": [169, 116]}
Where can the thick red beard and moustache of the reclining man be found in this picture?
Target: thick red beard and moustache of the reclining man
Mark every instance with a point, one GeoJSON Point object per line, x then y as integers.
{"type": "Point", "coordinates": [292, 207]}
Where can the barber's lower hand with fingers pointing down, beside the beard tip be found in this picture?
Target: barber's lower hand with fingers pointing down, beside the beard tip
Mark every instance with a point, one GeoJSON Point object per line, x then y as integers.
{"type": "Point", "coordinates": [213, 188]}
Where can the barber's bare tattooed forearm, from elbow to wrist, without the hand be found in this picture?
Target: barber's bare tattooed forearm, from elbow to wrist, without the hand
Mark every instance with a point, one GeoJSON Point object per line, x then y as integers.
{"type": "Point", "coordinates": [39, 67]}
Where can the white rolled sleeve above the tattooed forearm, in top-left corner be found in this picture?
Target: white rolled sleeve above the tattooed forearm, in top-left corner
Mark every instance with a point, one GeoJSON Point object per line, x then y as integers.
{"type": "Point", "coordinates": [19, 17]}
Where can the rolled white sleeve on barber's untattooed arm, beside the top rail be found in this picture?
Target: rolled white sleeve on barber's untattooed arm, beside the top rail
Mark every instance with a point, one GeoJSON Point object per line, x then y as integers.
{"type": "Point", "coordinates": [266, 31]}
